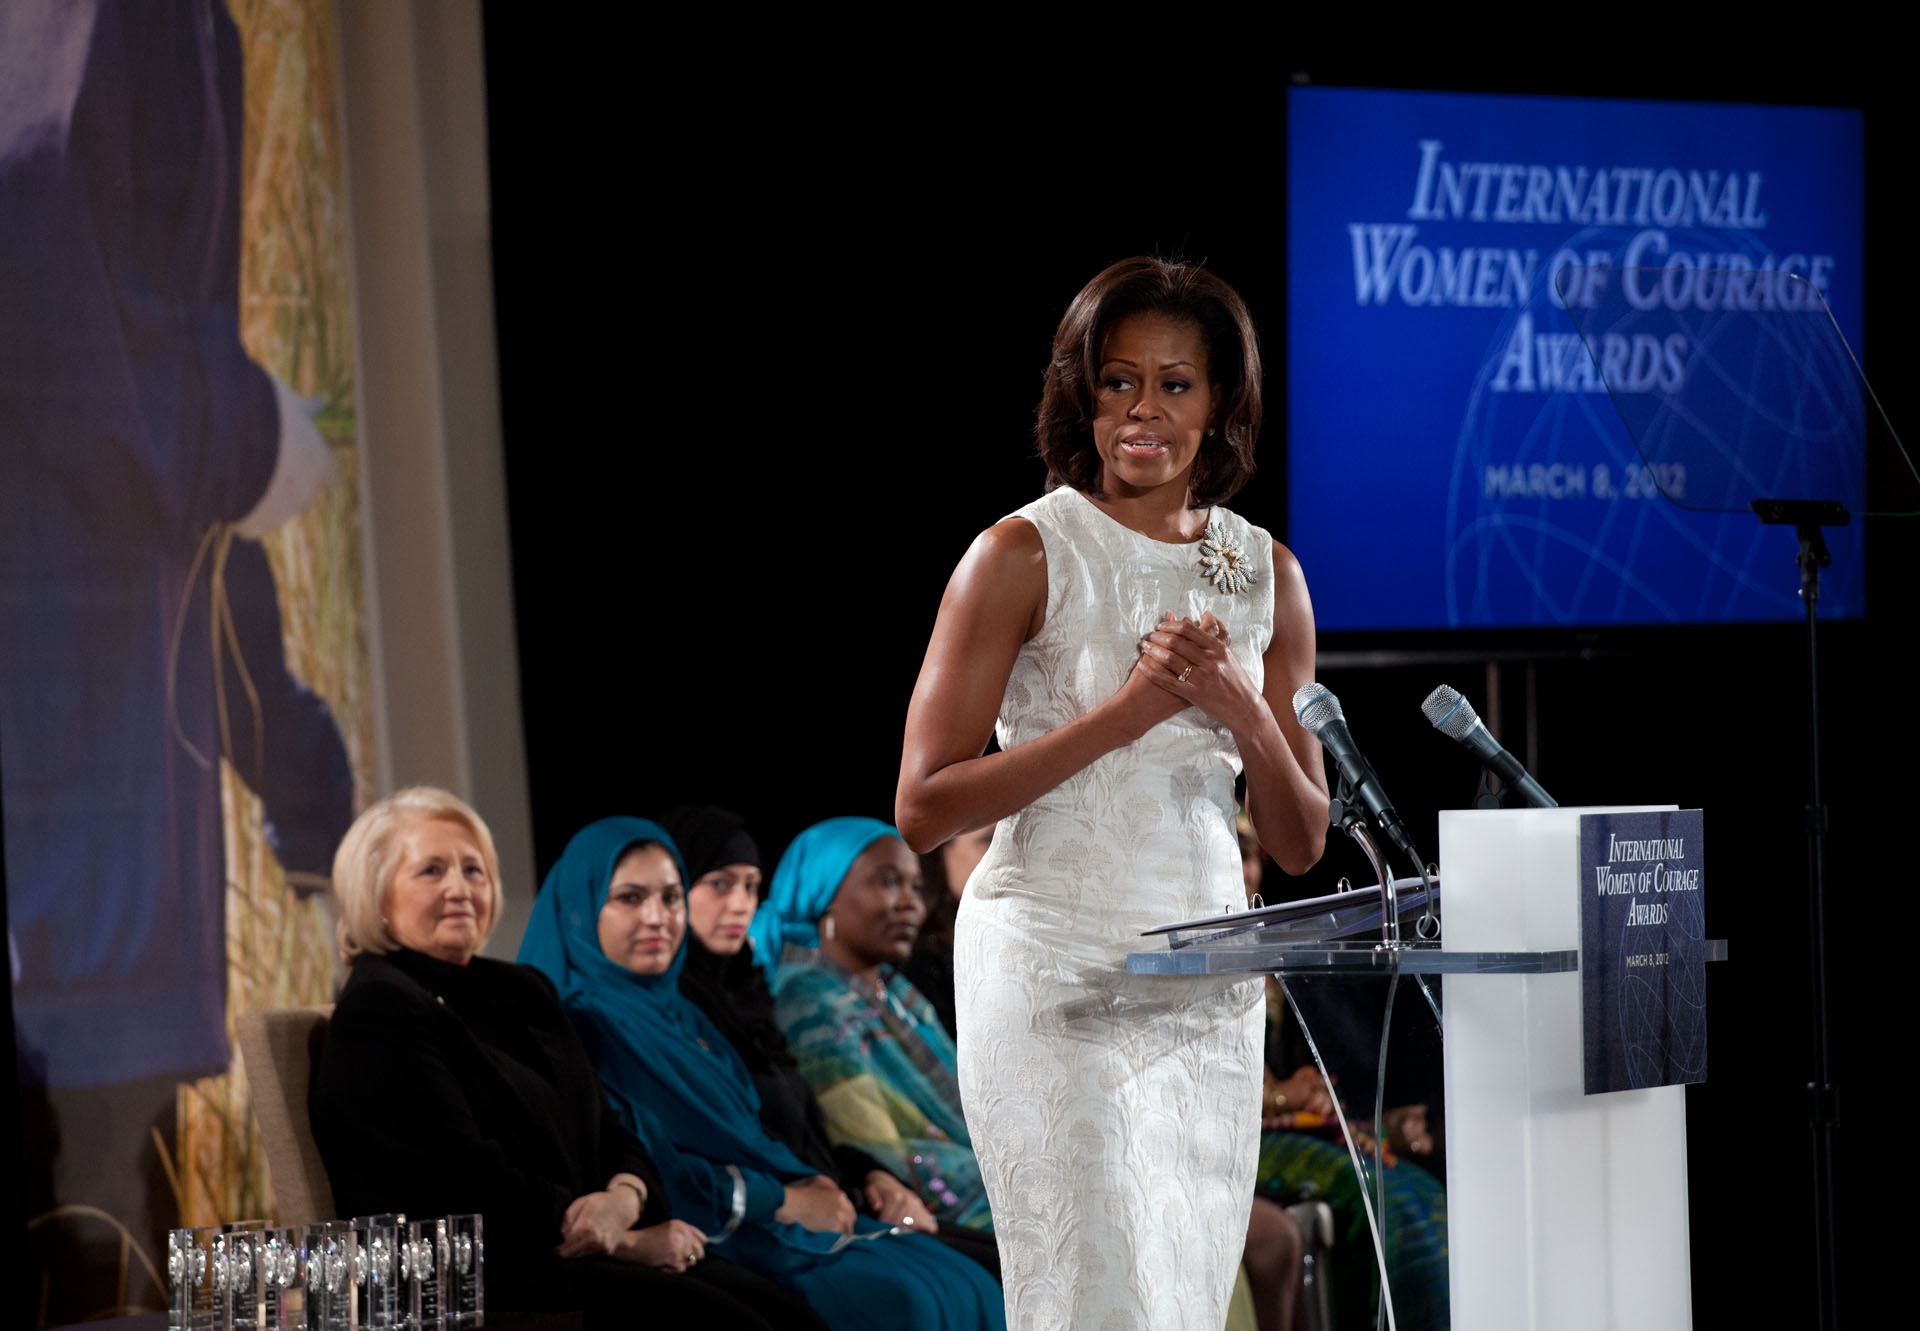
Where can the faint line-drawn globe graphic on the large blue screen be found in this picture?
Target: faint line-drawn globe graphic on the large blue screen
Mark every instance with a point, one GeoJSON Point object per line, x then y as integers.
{"type": "Point", "coordinates": [1618, 437]}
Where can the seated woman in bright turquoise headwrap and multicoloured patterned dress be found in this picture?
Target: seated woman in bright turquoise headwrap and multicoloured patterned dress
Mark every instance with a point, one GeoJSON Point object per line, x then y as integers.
{"type": "Point", "coordinates": [840, 917]}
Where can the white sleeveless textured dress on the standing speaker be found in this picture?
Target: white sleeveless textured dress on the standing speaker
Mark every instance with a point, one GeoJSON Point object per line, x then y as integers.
{"type": "Point", "coordinates": [1116, 1117]}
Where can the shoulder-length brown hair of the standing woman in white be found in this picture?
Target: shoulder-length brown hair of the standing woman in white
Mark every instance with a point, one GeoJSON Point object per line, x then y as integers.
{"type": "Point", "coordinates": [1159, 287]}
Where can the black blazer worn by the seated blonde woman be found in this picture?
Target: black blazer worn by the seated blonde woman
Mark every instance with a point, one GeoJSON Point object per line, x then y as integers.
{"type": "Point", "coordinates": [446, 1090]}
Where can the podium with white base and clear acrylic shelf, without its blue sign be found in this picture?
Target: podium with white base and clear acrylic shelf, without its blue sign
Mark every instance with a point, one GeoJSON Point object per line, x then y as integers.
{"type": "Point", "coordinates": [1564, 1209]}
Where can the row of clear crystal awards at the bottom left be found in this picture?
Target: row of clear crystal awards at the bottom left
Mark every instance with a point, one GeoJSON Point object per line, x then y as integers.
{"type": "Point", "coordinates": [366, 1274]}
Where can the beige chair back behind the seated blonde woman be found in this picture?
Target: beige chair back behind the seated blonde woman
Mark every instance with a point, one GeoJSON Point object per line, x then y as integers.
{"type": "Point", "coordinates": [279, 1050]}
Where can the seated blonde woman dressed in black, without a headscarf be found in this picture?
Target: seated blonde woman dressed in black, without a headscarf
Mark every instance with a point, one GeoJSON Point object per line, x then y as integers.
{"type": "Point", "coordinates": [454, 1084]}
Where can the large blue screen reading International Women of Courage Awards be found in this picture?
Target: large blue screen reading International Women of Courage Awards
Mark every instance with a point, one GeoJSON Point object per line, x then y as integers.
{"type": "Point", "coordinates": [1454, 456]}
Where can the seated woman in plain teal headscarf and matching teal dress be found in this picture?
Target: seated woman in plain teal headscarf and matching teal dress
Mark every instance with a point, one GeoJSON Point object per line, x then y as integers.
{"type": "Point", "coordinates": [610, 931]}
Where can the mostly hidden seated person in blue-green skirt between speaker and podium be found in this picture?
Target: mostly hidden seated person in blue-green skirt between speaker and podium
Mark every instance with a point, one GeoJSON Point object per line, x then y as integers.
{"type": "Point", "coordinates": [1299, 1155]}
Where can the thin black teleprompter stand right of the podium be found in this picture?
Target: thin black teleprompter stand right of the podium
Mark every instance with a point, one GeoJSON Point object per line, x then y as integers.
{"type": "Point", "coordinates": [1823, 1098]}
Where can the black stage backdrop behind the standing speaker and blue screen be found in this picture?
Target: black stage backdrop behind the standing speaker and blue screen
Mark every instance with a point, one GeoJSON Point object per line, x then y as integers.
{"type": "Point", "coordinates": [771, 349]}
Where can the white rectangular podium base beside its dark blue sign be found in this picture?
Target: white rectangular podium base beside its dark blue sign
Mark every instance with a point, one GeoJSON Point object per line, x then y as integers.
{"type": "Point", "coordinates": [1566, 1211]}
